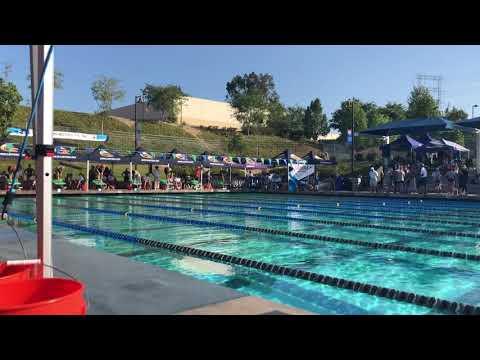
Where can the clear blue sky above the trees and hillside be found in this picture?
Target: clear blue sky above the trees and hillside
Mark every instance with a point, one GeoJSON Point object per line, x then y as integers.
{"type": "Point", "coordinates": [301, 73]}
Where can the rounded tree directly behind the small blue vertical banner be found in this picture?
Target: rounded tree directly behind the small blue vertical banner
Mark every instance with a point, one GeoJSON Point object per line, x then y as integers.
{"type": "Point", "coordinates": [342, 118]}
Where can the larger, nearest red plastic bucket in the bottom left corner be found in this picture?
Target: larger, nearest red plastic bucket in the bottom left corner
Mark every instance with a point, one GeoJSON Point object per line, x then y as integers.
{"type": "Point", "coordinates": [52, 296]}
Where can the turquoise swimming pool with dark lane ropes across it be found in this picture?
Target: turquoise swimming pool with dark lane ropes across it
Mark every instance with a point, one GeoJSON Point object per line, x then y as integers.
{"type": "Point", "coordinates": [421, 247]}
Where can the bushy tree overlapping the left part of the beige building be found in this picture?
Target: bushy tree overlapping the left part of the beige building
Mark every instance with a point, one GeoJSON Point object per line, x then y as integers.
{"type": "Point", "coordinates": [166, 99]}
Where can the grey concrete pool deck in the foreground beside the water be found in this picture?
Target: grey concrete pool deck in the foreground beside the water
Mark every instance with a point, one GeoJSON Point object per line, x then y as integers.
{"type": "Point", "coordinates": [120, 286]}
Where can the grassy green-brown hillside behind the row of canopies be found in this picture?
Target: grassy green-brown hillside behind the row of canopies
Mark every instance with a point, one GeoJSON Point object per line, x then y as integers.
{"type": "Point", "coordinates": [160, 137]}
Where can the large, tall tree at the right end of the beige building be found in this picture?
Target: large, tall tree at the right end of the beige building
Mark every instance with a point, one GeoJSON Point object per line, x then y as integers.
{"type": "Point", "coordinates": [251, 97]}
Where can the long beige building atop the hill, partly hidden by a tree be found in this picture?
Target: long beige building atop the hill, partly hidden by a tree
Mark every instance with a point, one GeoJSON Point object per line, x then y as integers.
{"type": "Point", "coordinates": [194, 112]}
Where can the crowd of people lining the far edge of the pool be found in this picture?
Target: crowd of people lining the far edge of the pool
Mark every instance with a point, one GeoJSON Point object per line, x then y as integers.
{"type": "Point", "coordinates": [452, 177]}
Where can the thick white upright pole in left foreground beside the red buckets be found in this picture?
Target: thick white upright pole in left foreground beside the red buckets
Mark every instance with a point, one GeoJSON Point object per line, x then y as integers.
{"type": "Point", "coordinates": [43, 129]}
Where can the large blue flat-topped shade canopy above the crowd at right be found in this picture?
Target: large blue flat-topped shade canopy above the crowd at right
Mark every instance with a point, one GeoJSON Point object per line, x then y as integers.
{"type": "Point", "coordinates": [414, 126]}
